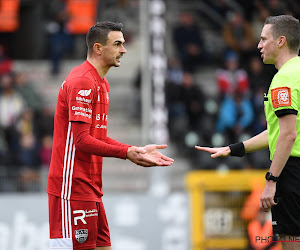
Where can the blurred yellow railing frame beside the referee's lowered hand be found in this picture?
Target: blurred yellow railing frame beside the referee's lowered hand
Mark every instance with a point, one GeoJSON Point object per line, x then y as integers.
{"type": "Point", "coordinates": [198, 183]}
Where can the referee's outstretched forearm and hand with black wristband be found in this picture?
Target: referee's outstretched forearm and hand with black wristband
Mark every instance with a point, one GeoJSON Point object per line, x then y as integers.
{"type": "Point", "coordinates": [255, 143]}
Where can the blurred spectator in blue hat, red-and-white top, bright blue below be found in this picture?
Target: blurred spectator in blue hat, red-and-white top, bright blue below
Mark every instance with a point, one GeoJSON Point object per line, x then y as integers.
{"type": "Point", "coordinates": [236, 112]}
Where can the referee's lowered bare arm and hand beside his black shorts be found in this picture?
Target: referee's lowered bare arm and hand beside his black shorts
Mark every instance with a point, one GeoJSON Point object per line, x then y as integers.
{"type": "Point", "coordinates": [284, 145]}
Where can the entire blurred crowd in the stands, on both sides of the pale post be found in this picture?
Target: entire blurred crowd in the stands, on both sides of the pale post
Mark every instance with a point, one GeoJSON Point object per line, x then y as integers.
{"type": "Point", "coordinates": [232, 113]}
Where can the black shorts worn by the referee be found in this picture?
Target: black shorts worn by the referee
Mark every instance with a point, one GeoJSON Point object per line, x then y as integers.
{"type": "Point", "coordinates": [286, 214]}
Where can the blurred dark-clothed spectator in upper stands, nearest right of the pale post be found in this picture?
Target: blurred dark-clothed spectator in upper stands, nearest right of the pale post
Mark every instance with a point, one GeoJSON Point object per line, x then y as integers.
{"type": "Point", "coordinates": [189, 42]}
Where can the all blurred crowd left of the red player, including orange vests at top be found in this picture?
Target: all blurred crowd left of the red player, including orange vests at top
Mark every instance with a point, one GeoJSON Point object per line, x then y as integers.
{"type": "Point", "coordinates": [26, 120]}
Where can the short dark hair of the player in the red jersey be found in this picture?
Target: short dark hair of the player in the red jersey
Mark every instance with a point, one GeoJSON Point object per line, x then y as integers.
{"type": "Point", "coordinates": [98, 33]}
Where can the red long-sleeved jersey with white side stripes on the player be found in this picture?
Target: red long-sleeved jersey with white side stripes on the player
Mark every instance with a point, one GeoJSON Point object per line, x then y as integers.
{"type": "Point", "coordinates": [75, 174]}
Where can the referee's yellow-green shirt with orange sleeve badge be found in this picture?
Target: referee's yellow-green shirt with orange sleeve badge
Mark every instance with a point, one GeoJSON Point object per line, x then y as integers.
{"type": "Point", "coordinates": [283, 98]}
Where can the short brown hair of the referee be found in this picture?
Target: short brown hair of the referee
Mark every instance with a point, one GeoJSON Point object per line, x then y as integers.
{"type": "Point", "coordinates": [288, 26]}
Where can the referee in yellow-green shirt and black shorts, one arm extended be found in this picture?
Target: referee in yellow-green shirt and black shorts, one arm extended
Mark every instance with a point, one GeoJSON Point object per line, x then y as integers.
{"type": "Point", "coordinates": [279, 45]}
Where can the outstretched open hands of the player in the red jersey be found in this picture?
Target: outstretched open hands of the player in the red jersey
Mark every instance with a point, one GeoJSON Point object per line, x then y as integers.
{"type": "Point", "coordinates": [149, 156]}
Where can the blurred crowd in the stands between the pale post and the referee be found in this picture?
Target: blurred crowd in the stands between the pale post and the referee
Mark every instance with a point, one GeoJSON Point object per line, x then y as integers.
{"type": "Point", "coordinates": [235, 111]}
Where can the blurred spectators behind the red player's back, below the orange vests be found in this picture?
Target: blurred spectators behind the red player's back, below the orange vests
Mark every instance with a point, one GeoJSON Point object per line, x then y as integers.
{"type": "Point", "coordinates": [26, 129]}
